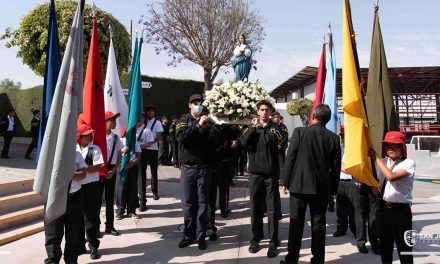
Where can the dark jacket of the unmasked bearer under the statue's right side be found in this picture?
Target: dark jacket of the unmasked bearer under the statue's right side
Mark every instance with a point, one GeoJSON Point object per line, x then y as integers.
{"type": "Point", "coordinates": [262, 146]}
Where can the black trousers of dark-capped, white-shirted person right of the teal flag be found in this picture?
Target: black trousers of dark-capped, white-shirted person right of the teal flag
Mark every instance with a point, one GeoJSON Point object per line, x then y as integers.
{"type": "Point", "coordinates": [148, 157]}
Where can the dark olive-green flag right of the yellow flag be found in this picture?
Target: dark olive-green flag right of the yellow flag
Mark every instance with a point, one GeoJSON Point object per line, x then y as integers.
{"type": "Point", "coordinates": [380, 106]}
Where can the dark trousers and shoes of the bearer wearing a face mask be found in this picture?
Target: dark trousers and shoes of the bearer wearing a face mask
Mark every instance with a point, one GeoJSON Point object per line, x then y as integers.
{"type": "Point", "coordinates": [194, 202]}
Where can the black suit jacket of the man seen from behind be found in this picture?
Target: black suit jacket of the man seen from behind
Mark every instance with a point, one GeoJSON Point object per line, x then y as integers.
{"type": "Point", "coordinates": [313, 161]}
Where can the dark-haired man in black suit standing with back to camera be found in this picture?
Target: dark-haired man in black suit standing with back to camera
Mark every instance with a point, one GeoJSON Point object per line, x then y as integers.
{"type": "Point", "coordinates": [311, 173]}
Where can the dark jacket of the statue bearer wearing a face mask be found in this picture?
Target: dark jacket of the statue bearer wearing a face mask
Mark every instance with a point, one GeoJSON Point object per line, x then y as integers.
{"type": "Point", "coordinates": [193, 141]}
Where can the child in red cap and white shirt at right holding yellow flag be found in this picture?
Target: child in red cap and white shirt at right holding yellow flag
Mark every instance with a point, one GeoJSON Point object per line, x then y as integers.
{"type": "Point", "coordinates": [396, 175]}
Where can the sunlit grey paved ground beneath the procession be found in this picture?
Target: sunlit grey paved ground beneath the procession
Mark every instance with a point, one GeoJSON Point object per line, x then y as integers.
{"type": "Point", "coordinates": [154, 238]}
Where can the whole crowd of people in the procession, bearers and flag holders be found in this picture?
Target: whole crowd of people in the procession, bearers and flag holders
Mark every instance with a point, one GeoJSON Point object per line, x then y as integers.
{"type": "Point", "coordinates": [310, 169]}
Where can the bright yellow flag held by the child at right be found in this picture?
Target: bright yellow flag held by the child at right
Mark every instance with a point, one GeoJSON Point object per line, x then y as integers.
{"type": "Point", "coordinates": [357, 135]}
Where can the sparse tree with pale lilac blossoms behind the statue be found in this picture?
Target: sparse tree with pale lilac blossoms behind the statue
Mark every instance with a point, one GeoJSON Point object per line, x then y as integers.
{"type": "Point", "coordinates": [204, 32]}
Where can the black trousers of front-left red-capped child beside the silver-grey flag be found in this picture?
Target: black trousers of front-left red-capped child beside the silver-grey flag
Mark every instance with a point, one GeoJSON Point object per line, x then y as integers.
{"type": "Point", "coordinates": [90, 225]}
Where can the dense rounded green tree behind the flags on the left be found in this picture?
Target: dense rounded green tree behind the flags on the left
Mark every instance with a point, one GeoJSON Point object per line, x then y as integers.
{"type": "Point", "coordinates": [31, 37]}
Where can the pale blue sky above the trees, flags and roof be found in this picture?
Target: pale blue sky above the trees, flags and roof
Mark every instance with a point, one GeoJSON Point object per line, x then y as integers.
{"type": "Point", "coordinates": [294, 36]}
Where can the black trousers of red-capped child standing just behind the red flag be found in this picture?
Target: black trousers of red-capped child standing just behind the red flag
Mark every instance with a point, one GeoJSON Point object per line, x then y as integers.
{"type": "Point", "coordinates": [107, 185]}
